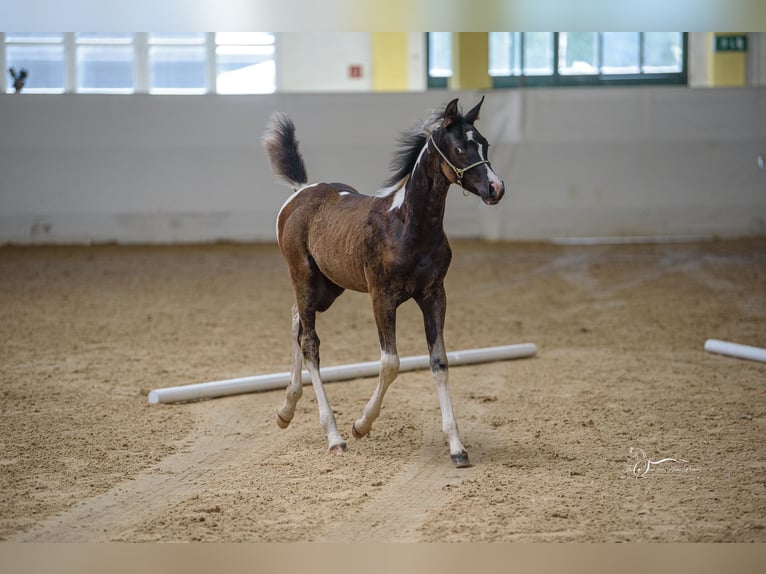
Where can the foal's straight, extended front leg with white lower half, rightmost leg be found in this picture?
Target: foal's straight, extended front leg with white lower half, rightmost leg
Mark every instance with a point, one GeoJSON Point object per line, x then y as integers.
{"type": "Point", "coordinates": [434, 307]}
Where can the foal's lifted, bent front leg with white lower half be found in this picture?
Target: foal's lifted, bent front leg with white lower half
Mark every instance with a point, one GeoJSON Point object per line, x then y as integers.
{"type": "Point", "coordinates": [385, 319]}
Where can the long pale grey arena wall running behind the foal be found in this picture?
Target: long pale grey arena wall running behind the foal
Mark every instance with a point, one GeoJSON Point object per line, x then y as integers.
{"type": "Point", "coordinates": [576, 162]}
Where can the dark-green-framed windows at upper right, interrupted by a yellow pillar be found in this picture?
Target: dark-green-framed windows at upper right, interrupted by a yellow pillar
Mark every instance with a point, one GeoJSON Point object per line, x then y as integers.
{"type": "Point", "coordinates": [580, 58]}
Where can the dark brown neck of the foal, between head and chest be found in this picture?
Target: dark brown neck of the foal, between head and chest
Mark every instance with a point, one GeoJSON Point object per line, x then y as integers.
{"type": "Point", "coordinates": [426, 195]}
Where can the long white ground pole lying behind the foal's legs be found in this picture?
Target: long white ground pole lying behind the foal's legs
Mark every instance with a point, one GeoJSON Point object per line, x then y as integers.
{"type": "Point", "coordinates": [335, 373]}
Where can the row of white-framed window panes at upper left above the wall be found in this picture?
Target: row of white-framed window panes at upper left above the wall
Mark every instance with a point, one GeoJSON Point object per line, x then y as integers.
{"type": "Point", "coordinates": [154, 62]}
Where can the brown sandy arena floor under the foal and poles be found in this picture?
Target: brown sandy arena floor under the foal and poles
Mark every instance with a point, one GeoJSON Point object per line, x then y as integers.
{"type": "Point", "coordinates": [559, 442]}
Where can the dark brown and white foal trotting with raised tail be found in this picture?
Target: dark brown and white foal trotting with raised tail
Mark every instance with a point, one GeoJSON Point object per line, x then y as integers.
{"type": "Point", "coordinates": [391, 245]}
